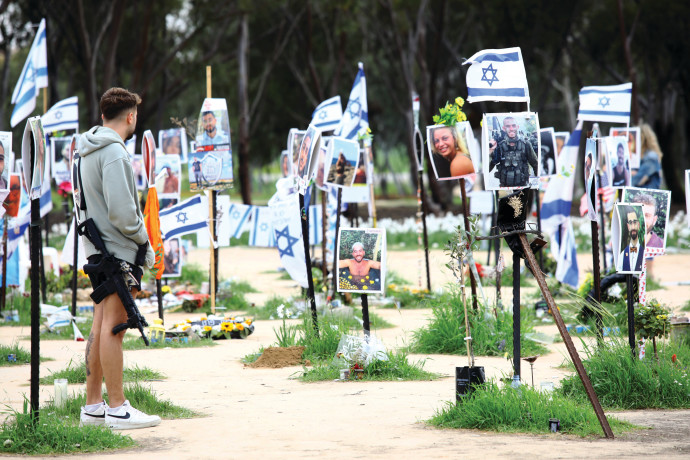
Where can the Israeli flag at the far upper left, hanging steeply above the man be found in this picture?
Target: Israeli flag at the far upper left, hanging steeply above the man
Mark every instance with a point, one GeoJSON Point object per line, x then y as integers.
{"type": "Point", "coordinates": [34, 76]}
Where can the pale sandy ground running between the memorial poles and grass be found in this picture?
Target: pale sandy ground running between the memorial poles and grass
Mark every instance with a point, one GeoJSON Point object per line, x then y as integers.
{"type": "Point", "coordinates": [266, 413]}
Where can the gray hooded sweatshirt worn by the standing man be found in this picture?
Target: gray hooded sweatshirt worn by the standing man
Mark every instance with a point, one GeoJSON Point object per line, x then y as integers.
{"type": "Point", "coordinates": [111, 196]}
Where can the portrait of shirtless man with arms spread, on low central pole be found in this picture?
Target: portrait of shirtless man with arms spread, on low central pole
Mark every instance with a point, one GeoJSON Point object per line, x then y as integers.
{"type": "Point", "coordinates": [361, 260]}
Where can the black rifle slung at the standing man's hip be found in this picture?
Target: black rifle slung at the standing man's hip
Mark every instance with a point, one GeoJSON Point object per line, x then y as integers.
{"type": "Point", "coordinates": [117, 273]}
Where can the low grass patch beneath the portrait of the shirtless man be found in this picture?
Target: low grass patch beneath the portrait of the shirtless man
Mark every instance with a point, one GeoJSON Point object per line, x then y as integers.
{"type": "Point", "coordinates": [397, 367]}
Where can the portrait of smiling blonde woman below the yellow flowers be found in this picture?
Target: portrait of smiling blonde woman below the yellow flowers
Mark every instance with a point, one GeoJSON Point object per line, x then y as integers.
{"type": "Point", "coordinates": [449, 150]}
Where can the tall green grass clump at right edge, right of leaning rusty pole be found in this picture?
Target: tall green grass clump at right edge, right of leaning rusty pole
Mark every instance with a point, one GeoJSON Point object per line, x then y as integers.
{"type": "Point", "coordinates": [626, 382]}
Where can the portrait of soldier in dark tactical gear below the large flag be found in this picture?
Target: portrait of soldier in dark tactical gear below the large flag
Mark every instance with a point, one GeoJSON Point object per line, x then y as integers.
{"type": "Point", "coordinates": [510, 150]}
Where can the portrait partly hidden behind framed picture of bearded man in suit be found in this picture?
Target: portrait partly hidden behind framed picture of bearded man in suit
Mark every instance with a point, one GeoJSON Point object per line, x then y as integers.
{"type": "Point", "coordinates": [656, 207]}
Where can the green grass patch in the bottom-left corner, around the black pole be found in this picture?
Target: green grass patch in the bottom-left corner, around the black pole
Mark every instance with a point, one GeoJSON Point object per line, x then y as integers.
{"type": "Point", "coordinates": [56, 434]}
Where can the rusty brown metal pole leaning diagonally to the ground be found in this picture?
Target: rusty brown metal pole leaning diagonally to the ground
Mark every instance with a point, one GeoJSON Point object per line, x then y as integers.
{"type": "Point", "coordinates": [567, 340]}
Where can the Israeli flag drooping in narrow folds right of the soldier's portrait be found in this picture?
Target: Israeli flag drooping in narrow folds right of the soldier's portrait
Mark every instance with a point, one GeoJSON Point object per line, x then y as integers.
{"type": "Point", "coordinates": [558, 198]}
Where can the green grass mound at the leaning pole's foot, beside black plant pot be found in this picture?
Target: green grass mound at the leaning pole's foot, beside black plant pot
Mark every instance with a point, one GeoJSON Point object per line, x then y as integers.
{"type": "Point", "coordinates": [524, 410]}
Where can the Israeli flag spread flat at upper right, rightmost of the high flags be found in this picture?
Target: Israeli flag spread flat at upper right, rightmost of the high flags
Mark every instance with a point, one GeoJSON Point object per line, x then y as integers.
{"type": "Point", "coordinates": [606, 103]}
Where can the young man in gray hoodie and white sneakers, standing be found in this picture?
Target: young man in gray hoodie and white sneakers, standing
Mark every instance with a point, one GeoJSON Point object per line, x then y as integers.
{"type": "Point", "coordinates": [109, 189]}
